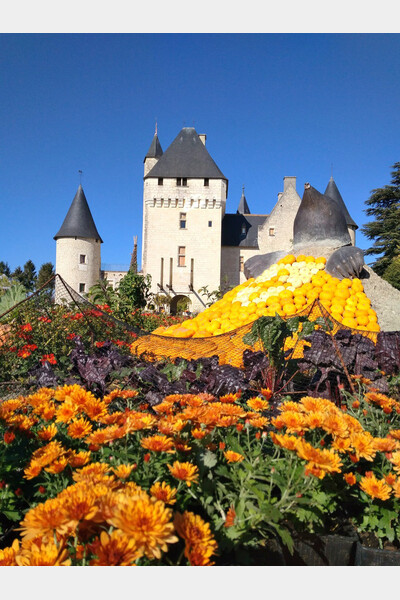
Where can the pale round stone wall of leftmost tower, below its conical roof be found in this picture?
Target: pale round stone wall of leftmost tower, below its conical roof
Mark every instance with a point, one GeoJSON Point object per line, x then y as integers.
{"type": "Point", "coordinates": [70, 267]}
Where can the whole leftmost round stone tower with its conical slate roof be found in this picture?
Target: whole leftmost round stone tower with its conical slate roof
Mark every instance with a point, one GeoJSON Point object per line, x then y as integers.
{"type": "Point", "coordinates": [78, 256]}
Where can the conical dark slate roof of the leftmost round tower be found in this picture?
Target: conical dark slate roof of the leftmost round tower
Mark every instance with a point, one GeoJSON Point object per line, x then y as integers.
{"type": "Point", "coordinates": [79, 221]}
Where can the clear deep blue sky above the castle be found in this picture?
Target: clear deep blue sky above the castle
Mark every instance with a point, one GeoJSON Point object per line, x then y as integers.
{"type": "Point", "coordinates": [271, 105]}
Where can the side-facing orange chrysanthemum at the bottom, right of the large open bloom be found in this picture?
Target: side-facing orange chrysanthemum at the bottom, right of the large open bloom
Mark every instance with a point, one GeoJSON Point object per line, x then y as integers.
{"type": "Point", "coordinates": [200, 544]}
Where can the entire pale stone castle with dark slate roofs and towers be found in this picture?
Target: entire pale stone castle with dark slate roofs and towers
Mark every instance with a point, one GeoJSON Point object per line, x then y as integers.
{"type": "Point", "coordinates": [189, 241]}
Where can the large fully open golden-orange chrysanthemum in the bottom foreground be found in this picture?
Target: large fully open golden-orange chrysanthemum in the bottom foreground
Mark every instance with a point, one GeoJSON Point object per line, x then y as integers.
{"type": "Point", "coordinates": [147, 522]}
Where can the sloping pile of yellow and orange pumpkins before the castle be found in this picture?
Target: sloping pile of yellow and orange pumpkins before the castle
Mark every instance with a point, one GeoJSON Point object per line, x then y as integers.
{"type": "Point", "coordinates": [286, 288]}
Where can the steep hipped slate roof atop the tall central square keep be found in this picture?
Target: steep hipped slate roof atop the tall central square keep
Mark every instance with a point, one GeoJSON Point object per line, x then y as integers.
{"type": "Point", "coordinates": [187, 156]}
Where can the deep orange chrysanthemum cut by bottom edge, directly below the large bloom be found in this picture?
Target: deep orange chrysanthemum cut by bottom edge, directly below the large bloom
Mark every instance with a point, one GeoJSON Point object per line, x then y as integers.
{"type": "Point", "coordinates": [114, 549]}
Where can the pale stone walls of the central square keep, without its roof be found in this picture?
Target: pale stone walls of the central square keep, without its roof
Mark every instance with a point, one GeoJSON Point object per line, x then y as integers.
{"type": "Point", "coordinates": [203, 207]}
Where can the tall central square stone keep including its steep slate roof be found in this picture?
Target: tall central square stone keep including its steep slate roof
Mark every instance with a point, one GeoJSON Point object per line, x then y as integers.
{"type": "Point", "coordinates": [184, 200]}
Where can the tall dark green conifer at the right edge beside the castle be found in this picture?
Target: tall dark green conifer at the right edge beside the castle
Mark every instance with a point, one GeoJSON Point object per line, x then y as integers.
{"type": "Point", "coordinates": [384, 206]}
